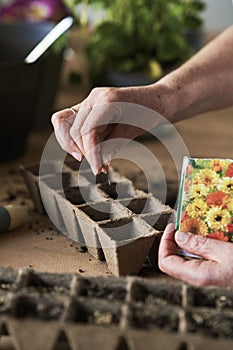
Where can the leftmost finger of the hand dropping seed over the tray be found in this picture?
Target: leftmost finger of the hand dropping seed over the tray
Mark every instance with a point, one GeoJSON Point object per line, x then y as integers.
{"type": "Point", "coordinates": [62, 122]}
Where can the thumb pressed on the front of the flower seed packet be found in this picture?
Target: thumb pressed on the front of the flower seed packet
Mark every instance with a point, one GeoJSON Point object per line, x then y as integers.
{"type": "Point", "coordinates": [208, 248]}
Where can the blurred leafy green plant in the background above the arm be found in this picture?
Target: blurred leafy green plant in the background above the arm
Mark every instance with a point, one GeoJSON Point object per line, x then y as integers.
{"type": "Point", "coordinates": [141, 35]}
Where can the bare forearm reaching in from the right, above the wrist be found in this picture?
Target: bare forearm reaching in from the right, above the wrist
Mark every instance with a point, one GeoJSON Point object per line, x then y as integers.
{"type": "Point", "coordinates": [203, 83]}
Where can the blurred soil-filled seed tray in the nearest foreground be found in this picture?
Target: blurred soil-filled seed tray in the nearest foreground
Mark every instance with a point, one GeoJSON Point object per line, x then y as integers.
{"type": "Point", "coordinates": [68, 311]}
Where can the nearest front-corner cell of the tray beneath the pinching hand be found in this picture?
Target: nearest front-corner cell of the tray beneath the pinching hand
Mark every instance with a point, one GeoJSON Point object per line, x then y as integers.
{"type": "Point", "coordinates": [126, 243]}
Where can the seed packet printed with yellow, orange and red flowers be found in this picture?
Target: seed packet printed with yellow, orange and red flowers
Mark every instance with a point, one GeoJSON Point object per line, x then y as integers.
{"type": "Point", "coordinates": [205, 201]}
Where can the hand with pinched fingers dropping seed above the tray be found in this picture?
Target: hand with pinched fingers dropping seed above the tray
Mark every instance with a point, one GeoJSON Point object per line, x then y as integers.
{"type": "Point", "coordinates": [103, 116]}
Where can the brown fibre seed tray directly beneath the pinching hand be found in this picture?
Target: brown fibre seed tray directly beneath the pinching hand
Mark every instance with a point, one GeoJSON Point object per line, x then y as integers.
{"type": "Point", "coordinates": [116, 222]}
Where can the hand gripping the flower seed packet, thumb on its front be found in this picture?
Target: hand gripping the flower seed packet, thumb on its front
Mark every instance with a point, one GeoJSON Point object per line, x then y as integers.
{"type": "Point", "coordinates": [216, 270]}
